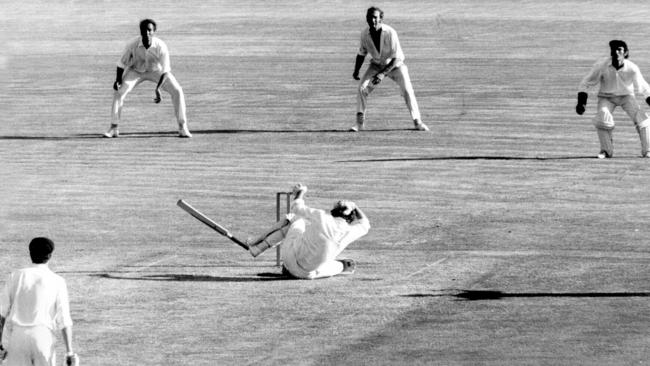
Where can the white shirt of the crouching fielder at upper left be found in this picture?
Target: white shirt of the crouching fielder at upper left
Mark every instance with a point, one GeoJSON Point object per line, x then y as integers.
{"type": "Point", "coordinates": [152, 59]}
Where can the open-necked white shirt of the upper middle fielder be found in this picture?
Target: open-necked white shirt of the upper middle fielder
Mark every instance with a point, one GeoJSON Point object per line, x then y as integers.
{"type": "Point", "coordinates": [389, 46]}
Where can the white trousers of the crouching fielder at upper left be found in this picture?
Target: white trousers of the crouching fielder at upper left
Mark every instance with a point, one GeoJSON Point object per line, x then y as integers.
{"type": "Point", "coordinates": [132, 78]}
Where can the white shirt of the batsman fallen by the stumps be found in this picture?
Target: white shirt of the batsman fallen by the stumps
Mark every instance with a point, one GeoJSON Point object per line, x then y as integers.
{"type": "Point", "coordinates": [325, 236]}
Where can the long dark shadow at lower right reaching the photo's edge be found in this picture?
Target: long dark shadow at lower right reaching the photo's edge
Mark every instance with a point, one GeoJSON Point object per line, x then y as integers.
{"type": "Point", "coordinates": [478, 295]}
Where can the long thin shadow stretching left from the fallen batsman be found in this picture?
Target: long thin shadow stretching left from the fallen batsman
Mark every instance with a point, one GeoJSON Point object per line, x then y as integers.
{"type": "Point", "coordinates": [196, 278]}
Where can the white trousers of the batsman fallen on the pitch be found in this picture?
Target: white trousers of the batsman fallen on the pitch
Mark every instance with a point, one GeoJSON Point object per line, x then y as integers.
{"type": "Point", "coordinates": [291, 262]}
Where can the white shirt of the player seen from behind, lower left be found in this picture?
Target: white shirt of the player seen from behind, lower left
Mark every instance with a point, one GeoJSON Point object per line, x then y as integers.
{"type": "Point", "coordinates": [36, 296]}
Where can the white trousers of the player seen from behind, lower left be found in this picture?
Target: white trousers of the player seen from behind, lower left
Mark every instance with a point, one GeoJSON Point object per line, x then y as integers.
{"type": "Point", "coordinates": [29, 346]}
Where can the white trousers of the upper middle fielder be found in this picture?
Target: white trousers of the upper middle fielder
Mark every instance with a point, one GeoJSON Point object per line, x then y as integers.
{"type": "Point", "coordinates": [400, 75]}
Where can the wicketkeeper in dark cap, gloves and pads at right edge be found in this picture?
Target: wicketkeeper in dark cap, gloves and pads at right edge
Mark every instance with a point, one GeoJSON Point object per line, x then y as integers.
{"type": "Point", "coordinates": [619, 79]}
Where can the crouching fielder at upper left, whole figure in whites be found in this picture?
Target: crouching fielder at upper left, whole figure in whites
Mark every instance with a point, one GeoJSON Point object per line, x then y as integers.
{"type": "Point", "coordinates": [146, 58]}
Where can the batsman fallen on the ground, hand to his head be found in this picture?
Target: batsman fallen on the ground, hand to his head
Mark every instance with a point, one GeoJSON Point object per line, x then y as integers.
{"type": "Point", "coordinates": [311, 239]}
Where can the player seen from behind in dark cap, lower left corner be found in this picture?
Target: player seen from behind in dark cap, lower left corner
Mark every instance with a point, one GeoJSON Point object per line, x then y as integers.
{"type": "Point", "coordinates": [33, 304]}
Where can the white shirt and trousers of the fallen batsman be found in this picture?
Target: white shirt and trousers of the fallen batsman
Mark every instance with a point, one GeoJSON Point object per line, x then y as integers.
{"type": "Point", "coordinates": [315, 239]}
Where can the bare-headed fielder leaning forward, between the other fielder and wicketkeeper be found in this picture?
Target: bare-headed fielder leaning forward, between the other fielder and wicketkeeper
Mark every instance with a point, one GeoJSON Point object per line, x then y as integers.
{"type": "Point", "coordinates": [387, 60]}
